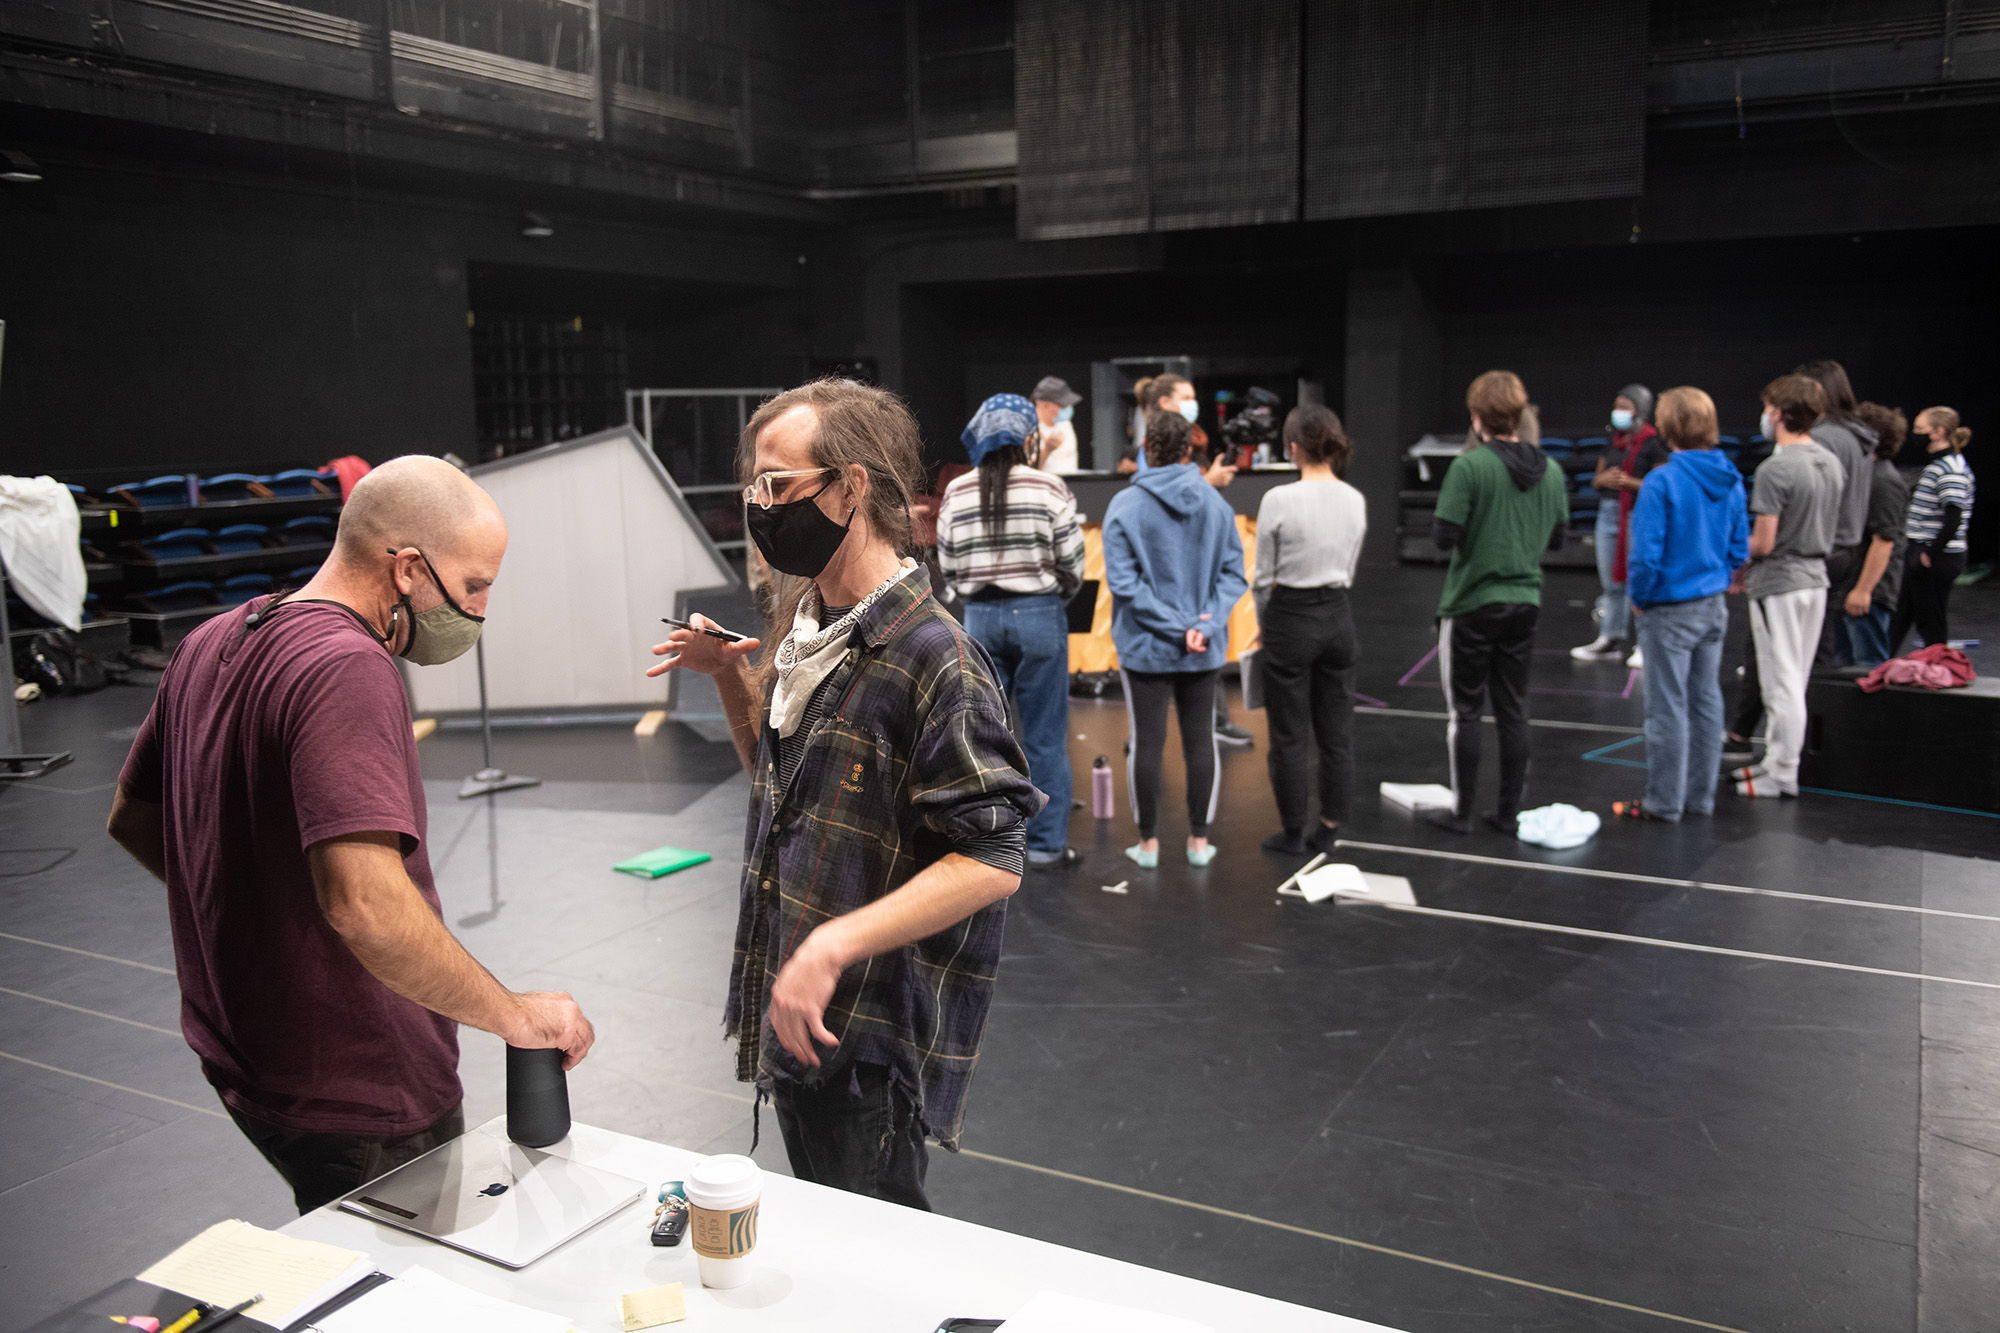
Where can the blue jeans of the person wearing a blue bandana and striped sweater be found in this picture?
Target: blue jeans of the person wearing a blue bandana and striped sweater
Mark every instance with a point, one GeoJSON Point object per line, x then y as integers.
{"type": "Point", "coordinates": [1029, 639]}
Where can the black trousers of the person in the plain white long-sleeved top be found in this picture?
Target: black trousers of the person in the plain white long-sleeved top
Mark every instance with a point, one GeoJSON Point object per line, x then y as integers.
{"type": "Point", "coordinates": [1309, 700]}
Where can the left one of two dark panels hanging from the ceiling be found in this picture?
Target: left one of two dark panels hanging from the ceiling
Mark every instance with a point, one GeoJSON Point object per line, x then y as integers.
{"type": "Point", "coordinates": [1155, 117]}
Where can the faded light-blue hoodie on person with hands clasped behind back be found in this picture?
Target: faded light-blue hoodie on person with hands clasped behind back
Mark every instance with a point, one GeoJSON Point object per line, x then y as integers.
{"type": "Point", "coordinates": [1175, 563]}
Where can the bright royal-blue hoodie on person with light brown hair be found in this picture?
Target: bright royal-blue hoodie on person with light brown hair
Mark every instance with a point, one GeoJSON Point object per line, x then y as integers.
{"type": "Point", "coordinates": [1691, 529]}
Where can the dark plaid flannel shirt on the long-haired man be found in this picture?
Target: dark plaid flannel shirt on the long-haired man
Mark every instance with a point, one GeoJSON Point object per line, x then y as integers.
{"type": "Point", "coordinates": [909, 756]}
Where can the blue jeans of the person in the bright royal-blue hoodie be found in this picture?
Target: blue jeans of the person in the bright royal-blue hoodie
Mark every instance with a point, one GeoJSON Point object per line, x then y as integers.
{"type": "Point", "coordinates": [1683, 645]}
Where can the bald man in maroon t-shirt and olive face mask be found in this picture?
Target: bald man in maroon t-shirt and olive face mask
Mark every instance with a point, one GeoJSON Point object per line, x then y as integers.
{"type": "Point", "coordinates": [275, 790]}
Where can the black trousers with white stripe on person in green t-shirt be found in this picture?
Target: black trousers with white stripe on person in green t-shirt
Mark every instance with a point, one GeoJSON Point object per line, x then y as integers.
{"type": "Point", "coordinates": [1485, 657]}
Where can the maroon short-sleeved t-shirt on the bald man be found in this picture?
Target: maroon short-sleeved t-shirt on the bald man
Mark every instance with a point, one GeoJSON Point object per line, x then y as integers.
{"type": "Point", "coordinates": [259, 746]}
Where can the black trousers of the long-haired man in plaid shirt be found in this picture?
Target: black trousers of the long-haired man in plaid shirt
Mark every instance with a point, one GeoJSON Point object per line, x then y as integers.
{"type": "Point", "coordinates": [859, 1132]}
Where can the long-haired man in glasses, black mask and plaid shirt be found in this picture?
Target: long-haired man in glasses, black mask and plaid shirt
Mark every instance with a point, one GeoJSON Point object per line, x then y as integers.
{"type": "Point", "coordinates": [887, 810]}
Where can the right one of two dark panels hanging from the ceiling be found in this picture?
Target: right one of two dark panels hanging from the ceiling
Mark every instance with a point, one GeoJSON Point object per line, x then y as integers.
{"type": "Point", "coordinates": [1443, 105]}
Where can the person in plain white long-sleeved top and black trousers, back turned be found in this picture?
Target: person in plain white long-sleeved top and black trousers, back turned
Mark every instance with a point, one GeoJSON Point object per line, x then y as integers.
{"type": "Point", "coordinates": [1309, 539]}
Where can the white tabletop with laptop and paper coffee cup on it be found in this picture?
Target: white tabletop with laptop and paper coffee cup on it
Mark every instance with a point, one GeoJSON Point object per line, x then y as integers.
{"type": "Point", "coordinates": [827, 1262]}
